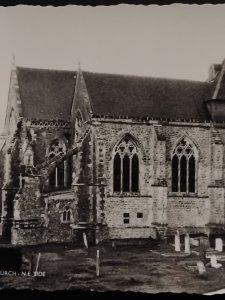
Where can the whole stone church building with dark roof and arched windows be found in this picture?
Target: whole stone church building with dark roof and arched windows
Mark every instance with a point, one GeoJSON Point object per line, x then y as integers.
{"type": "Point", "coordinates": [114, 156]}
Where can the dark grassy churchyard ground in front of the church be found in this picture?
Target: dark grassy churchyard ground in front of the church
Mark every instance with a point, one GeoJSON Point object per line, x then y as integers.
{"type": "Point", "coordinates": [133, 268]}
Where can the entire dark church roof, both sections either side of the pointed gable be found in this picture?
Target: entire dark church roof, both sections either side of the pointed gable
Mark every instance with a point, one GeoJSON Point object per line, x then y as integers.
{"type": "Point", "coordinates": [48, 94]}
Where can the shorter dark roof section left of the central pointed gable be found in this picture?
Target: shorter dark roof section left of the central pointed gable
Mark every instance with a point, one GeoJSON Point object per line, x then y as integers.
{"type": "Point", "coordinates": [46, 94]}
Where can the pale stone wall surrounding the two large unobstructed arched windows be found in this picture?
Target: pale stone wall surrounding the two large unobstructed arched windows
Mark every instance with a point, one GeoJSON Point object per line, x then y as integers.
{"type": "Point", "coordinates": [175, 210]}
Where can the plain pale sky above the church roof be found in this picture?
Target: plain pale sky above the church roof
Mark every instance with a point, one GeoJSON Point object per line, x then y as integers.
{"type": "Point", "coordinates": [176, 41]}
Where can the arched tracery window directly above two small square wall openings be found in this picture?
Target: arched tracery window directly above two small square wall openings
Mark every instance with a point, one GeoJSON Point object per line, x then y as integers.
{"type": "Point", "coordinates": [126, 167]}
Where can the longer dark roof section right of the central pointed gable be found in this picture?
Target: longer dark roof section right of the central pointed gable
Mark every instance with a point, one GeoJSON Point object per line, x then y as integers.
{"type": "Point", "coordinates": [135, 96]}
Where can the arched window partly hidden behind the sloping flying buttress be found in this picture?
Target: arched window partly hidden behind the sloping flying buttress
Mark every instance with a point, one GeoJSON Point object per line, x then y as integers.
{"type": "Point", "coordinates": [57, 175]}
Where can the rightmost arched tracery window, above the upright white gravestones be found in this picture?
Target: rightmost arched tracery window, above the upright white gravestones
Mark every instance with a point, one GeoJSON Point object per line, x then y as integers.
{"type": "Point", "coordinates": [184, 168]}
